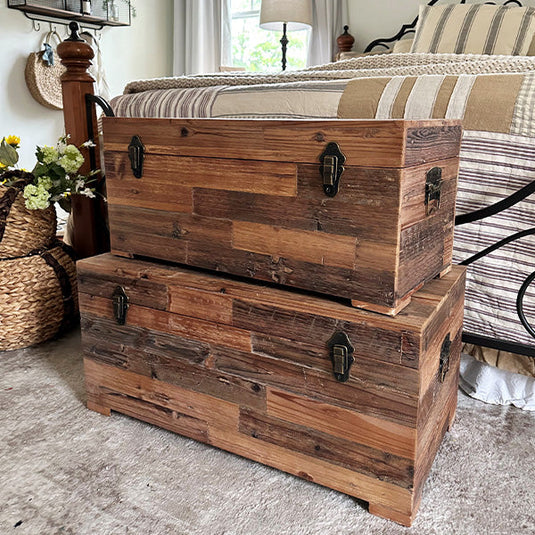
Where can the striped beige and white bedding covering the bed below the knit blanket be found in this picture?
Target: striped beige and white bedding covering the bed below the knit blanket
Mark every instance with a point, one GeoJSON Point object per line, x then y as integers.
{"type": "Point", "coordinates": [497, 156]}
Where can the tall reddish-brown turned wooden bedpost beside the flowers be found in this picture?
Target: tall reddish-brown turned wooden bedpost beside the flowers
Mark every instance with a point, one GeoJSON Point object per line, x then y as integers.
{"type": "Point", "coordinates": [90, 234]}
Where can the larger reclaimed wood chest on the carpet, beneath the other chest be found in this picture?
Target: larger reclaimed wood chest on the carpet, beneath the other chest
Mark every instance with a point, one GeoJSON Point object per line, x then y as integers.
{"type": "Point", "coordinates": [347, 398]}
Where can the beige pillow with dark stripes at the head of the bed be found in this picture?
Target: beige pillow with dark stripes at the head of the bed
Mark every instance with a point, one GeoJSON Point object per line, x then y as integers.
{"type": "Point", "coordinates": [474, 29]}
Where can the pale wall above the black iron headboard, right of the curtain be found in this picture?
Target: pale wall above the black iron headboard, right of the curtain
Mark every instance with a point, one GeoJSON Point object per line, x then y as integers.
{"type": "Point", "coordinates": [371, 19]}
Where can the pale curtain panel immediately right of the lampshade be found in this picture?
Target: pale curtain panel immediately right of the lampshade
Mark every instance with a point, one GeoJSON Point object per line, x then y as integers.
{"type": "Point", "coordinates": [328, 19]}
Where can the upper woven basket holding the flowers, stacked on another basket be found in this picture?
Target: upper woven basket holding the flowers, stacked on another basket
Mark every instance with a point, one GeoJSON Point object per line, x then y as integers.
{"type": "Point", "coordinates": [23, 230]}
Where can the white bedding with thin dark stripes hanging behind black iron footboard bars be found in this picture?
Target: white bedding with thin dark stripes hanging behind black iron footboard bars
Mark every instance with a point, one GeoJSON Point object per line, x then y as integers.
{"type": "Point", "coordinates": [492, 167]}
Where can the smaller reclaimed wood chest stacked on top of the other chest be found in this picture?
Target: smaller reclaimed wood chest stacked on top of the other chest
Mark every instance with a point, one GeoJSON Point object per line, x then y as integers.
{"type": "Point", "coordinates": [357, 209]}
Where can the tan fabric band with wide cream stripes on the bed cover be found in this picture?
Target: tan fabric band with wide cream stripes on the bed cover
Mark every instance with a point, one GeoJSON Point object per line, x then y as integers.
{"type": "Point", "coordinates": [492, 102]}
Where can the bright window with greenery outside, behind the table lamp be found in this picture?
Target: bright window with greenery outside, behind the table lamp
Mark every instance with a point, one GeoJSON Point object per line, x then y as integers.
{"type": "Point", "coordinates": [260, 50]}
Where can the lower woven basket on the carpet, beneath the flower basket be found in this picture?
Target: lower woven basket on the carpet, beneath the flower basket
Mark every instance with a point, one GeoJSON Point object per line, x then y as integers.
{"type": "Point", "coordinates": [38, 297]}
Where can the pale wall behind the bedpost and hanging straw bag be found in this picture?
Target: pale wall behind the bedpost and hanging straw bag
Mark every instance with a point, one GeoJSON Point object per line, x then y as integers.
{"type": "Point", "coordinates": [143, 50]}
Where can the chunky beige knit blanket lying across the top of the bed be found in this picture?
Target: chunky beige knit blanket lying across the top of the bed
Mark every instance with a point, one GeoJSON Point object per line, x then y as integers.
{"type": "Point", "coordinates": [363, 67]}
